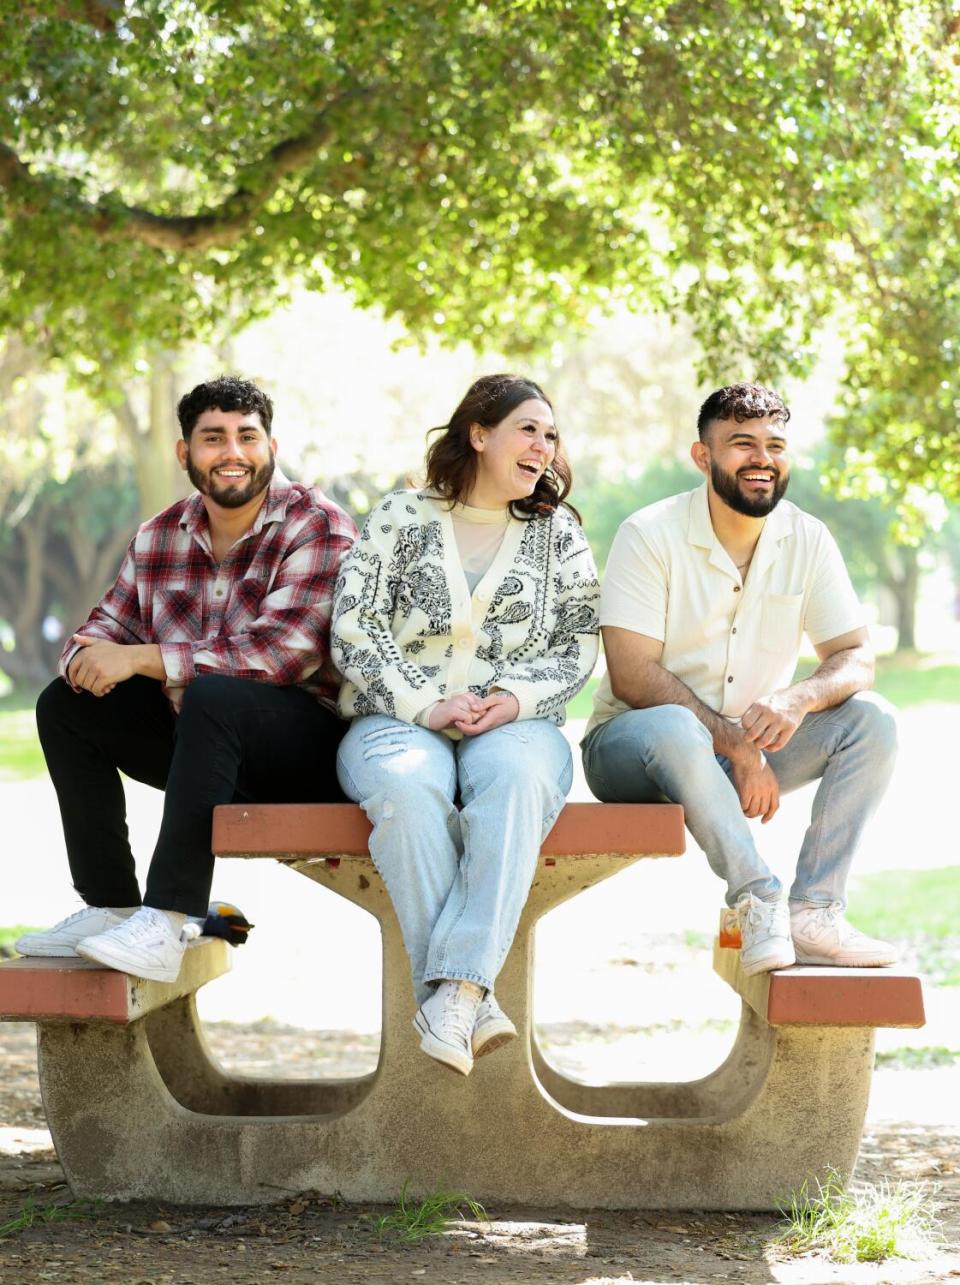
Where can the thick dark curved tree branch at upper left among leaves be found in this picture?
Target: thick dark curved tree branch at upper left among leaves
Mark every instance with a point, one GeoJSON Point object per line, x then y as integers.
{"type": "Point", "coordinates": [217, 227]}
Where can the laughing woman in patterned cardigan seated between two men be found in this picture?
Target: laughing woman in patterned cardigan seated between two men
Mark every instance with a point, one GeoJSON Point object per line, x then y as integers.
{"type": "Point", "coordinates": [465, 621]}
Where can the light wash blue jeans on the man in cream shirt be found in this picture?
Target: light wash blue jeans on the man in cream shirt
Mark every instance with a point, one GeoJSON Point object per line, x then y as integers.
{"type": "Point", "coordinates": [666, 754]}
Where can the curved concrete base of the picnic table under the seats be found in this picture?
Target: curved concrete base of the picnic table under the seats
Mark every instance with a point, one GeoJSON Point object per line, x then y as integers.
{"type": "Point", "coordinates": [141, 1111]}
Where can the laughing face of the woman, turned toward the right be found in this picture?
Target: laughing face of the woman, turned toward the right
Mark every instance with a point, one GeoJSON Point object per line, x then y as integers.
{"type": "Point", "coordinates": [513, 456]}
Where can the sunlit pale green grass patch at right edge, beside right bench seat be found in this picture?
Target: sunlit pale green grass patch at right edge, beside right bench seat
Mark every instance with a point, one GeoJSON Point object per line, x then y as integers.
{"type": "Point", "coordinates": [918, 908]}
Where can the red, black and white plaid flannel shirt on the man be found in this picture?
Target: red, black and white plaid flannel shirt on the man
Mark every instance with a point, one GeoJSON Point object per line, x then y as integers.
{"type": "Point", "coordinates": [264, 612]}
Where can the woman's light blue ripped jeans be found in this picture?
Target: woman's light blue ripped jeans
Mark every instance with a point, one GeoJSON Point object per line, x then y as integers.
{"type": "Point", "coordinates": [458, 880]}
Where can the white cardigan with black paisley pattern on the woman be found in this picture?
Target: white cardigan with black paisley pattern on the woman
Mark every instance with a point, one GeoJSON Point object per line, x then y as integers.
{"type": "Point", "coordinates": [407, 630]}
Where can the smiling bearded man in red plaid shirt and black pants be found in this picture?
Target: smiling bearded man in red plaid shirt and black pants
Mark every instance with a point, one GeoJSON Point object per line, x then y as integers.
{"type": "Point", "coordinates": [206, 673]}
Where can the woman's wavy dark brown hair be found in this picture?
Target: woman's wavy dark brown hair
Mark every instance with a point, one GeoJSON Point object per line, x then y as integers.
{"type": "Point", "coordinates": [452, 461]}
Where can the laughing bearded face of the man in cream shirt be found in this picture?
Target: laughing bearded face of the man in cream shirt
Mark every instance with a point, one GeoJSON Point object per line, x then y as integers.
{"type": "Point", "coordinates": [746, 463]}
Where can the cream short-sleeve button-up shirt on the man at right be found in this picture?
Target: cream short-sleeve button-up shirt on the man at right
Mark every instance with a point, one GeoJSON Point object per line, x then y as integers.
{"type": "Point", "coordinates": [732, 642]}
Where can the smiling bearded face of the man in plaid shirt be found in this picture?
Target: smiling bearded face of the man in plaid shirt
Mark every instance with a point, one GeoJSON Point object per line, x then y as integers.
{"type": "Point", "coordinates": [229, 457]}
